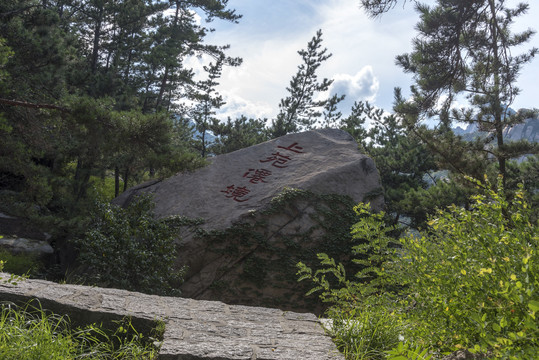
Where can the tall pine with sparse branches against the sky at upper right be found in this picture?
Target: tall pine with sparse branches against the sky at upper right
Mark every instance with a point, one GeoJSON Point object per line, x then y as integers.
{"type": "Point", "coordinates": [465, 48]}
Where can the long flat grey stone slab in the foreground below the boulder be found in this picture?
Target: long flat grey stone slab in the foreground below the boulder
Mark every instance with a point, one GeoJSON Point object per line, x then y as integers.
{"type": "Point", "coordinates": [194, 329]}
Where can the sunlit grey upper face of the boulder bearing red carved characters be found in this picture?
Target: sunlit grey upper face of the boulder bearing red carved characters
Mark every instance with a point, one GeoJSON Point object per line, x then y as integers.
{"type": "Point", "coordinates": [324, 161]}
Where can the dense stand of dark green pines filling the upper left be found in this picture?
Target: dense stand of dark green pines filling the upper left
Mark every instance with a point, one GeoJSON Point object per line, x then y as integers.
{"type": "Point", "coordinates": [122, 65]}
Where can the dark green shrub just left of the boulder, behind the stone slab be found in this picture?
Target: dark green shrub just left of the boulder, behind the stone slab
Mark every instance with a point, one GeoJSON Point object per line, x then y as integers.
{"type": "Point", "coordinates": [130, 249]}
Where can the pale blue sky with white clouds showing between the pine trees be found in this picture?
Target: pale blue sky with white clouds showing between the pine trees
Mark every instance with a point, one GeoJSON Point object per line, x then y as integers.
{"type": "Point", "coordinates": [363, 62]}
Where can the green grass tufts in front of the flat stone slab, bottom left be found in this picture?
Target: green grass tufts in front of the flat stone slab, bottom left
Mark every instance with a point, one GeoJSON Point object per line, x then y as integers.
{"type": "Point", "coordinates": [30, 333]}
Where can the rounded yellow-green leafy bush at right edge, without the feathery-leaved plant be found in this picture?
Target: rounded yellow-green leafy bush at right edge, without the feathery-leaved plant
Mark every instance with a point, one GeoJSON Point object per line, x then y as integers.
{"type": "Point", "coordinates": [474, 276]}
